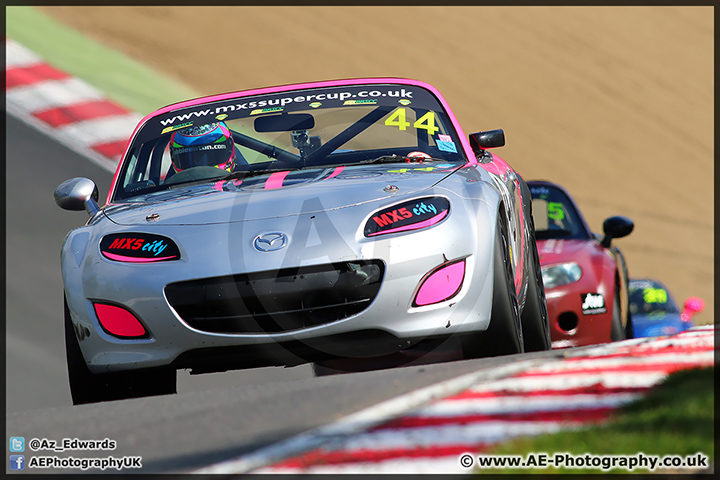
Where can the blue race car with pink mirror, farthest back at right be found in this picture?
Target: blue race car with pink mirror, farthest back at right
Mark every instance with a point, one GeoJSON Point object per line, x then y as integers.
{"type": "Point", "coordinates": [654, 311]}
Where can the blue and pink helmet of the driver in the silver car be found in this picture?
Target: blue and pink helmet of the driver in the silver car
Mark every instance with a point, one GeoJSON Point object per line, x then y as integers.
{"type": "Point", "coordinates": [204, 145]}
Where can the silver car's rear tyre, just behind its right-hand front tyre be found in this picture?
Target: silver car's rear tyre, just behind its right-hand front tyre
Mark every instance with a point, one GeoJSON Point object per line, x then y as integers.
{"type": "Point", "coordinates": [535, 322]}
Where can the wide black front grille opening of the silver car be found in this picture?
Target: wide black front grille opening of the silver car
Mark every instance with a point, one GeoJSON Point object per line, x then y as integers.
{"type": "Point", "coordinates": [279, 300]}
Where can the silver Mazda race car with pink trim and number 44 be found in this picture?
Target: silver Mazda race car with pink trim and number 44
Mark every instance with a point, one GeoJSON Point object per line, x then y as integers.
{"type": "Point", "coordinates": [295, 224]}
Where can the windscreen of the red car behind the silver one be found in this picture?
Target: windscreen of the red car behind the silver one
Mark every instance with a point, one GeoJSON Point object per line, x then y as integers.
{"type": "Point", "coordinates": [554, 214]}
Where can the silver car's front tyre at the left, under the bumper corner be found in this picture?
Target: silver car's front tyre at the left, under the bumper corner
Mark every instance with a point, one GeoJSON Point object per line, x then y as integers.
{"type": "Point", "coordinates": [87, 387]}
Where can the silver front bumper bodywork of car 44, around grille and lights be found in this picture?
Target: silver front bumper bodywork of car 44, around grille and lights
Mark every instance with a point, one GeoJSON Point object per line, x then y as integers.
{"type": "Point", "coordinates": [388, 323]}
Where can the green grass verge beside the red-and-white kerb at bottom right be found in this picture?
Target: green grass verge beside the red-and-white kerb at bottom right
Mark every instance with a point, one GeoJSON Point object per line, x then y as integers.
{"type": "Point", "coordinates": [676, 417]}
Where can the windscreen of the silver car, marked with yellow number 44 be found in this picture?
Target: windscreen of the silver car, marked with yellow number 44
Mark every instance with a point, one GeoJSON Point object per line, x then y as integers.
{"type": "Point", "coordinates": [311, 128]}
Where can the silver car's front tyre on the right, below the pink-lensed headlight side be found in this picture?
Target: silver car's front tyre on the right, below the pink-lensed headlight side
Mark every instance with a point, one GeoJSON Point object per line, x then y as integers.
{"type": "Point", "coordinates": [504, 334]}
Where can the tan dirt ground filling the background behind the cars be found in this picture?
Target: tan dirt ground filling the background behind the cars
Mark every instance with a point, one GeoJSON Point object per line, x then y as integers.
{"type": "Point", "coordinates": [614, 103]}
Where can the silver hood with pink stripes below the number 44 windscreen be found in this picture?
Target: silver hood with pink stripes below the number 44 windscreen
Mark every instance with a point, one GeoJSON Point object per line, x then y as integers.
{"type": "Point", "coordinates": [279, 194]}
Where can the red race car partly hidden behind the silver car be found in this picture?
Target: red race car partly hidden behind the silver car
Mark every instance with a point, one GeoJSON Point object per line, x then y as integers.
{"type": "Point", "coordinates": [585, 275]}
